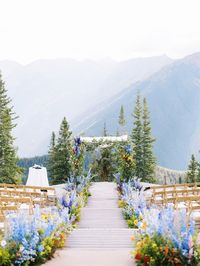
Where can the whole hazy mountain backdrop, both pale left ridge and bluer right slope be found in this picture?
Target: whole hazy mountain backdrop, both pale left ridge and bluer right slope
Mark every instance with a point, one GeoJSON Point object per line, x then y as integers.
{"type": "Point", "coordinates": [90, 93]}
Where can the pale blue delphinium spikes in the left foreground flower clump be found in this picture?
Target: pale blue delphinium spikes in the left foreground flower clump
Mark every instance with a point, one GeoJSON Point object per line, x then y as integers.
{"type": "Point", "coordinates": [23, 229]}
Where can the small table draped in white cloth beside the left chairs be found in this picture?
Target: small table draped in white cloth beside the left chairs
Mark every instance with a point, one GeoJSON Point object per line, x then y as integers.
{"type": "Point", "coordinates": [37, 176]}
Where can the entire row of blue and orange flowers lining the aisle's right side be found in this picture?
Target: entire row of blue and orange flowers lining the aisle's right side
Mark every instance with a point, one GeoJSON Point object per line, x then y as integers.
{"type": "Point", "coordinates": [164, 237]}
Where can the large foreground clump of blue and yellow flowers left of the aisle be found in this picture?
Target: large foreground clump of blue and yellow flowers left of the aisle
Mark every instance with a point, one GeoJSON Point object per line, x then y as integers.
{"type": "Point", "coordinates": [33, 239]}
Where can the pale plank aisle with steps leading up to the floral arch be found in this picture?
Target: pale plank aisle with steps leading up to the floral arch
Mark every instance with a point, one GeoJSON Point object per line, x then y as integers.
{"type": "Point", "coordinates": [102, 238]}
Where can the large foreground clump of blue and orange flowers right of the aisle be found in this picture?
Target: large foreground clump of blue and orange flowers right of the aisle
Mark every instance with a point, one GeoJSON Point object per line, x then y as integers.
{"type": "Point", "coordinates": [166, 238]}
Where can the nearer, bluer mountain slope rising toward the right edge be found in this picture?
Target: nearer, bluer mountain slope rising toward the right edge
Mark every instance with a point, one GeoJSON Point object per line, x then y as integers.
{"type": "Point", "coordinates": [173, 95]}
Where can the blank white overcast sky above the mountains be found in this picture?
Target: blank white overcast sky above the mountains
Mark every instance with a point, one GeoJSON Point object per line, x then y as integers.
{"type": "Point", "coordinates": [34, 29]}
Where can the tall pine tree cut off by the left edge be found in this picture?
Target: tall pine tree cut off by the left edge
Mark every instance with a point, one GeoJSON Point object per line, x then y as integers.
{"type": "Point", "coordinates": [9, 171]}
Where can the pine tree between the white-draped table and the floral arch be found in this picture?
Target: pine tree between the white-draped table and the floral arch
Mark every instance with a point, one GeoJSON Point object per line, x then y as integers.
{"type": "Point", "coordinates": [62, 155]}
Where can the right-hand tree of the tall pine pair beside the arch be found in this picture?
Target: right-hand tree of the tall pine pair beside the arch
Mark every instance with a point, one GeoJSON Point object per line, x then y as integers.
{"type": "Point", "coordinates": [147, 147]}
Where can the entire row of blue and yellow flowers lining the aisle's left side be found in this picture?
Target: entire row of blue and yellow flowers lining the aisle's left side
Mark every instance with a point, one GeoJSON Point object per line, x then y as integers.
{"type": "Point", "coordinates": [33, 239]}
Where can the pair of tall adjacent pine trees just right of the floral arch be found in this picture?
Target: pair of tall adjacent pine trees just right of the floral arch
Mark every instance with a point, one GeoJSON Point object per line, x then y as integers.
{"type": "Point", "coordinates": [142, 141]}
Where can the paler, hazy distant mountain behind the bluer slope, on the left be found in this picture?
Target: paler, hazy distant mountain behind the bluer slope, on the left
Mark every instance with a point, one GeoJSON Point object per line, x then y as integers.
{"type": "Point", "coordinates": [45, 91]}
